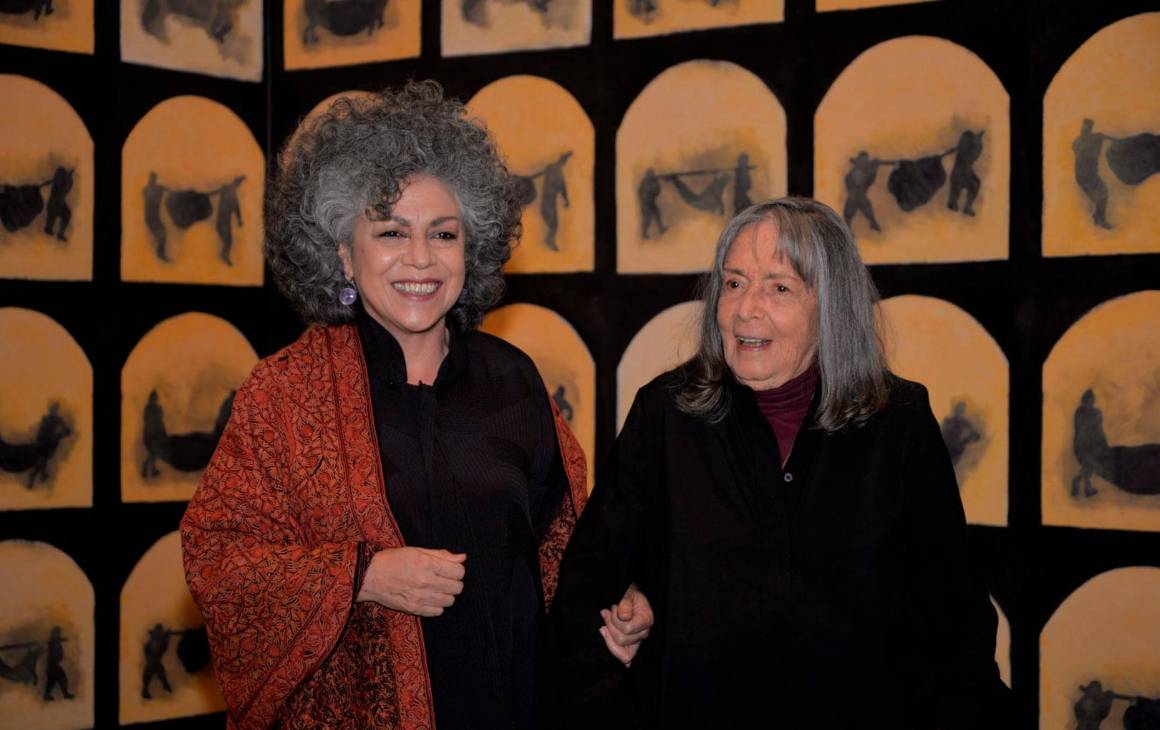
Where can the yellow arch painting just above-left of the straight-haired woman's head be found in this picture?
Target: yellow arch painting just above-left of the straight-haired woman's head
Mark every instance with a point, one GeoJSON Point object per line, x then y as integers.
{"type": "Point", "coordinates": [686, 162]}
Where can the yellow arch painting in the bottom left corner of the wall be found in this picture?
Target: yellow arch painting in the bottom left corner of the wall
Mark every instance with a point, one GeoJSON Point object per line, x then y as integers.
{"type": "Point", "coordinates": [47, 613]}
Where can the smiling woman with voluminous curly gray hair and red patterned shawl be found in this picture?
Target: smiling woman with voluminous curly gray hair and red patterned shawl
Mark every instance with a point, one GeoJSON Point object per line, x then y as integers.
{"type": "Point", "coordinates": [379, 534]}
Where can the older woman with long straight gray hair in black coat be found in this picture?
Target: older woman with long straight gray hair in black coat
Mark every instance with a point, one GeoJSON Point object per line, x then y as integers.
{"type": "Point", "coordinates": [791, 510]}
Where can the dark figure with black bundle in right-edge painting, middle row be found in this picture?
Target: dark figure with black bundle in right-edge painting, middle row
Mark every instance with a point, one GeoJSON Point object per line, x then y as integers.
{"type": "Point", "coordinates": [1134, 469]}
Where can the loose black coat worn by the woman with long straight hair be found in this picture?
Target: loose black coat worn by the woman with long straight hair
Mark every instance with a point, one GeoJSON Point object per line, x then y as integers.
{"type": "Point", "coordinates": [833, 594]}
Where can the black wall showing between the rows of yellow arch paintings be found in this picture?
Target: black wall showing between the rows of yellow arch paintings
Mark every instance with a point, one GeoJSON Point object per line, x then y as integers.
{"type": "Point", "coordinates": [1026, 302]}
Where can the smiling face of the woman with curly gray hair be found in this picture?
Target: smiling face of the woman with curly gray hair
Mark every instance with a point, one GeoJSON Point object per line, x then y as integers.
{"type": "Point", "coordinates": [410, 269]}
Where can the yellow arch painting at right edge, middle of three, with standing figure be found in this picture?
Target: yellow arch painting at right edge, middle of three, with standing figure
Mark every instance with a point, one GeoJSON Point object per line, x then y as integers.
{"type": "Point", "coordinates": [1101, 420]}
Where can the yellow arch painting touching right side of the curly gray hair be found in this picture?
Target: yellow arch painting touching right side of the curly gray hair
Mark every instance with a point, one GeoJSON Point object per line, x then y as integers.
{"type": "Point", "coordinates": [548, 140]}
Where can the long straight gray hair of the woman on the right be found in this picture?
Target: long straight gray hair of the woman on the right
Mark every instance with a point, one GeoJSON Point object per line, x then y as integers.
{"type": "Point", "coordinates": [850, 357]}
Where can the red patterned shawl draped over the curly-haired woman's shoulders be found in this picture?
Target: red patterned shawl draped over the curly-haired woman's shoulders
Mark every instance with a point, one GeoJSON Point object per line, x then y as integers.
{"type": "Point", "coordinates": [291, 503]}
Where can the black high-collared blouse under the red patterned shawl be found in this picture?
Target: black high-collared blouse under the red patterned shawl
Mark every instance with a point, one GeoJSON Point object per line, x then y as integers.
{"type": "Point", "coordinates": [472, 466]}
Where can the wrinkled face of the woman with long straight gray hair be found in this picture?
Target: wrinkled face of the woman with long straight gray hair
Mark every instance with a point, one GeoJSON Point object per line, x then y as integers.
{"type": "Point", "coordinates": [766, 314]}
